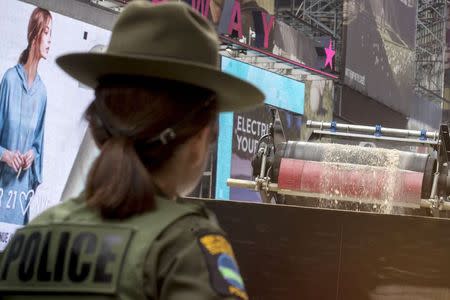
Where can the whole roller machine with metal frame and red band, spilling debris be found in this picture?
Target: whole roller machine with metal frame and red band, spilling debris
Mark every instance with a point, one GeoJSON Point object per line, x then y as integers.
{"type": "Point", "coordinates": [353, 173]}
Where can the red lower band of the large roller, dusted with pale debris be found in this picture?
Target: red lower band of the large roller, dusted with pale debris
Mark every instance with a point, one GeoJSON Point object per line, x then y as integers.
{"type": "Point", "coordinates": [350, 181]}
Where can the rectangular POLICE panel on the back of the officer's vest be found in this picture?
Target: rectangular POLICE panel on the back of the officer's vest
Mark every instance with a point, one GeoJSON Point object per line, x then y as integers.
{"type": "Point", "coordinates": [64, 258]}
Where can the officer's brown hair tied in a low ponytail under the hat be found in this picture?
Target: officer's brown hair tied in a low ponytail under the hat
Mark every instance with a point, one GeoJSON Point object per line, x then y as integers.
{"type": "Point", "coordinates": [126, 114]}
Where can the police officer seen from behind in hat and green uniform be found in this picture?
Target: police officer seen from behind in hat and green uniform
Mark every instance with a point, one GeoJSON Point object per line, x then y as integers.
{"type": "Point", "coordinates": [158, 90]}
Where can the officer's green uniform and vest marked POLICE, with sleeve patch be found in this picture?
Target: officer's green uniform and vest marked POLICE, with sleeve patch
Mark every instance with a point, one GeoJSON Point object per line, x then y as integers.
{"type": "Point", "coordinates": [177, 251]}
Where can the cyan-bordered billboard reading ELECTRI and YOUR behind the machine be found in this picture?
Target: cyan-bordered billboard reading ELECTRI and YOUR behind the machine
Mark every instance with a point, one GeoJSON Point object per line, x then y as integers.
{"type": "Point", "coordinates": [239, 132]}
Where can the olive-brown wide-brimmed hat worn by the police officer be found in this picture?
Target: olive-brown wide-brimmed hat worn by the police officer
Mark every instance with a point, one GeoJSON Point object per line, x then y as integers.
{"type": "Point", "coordinates": [167, 41]}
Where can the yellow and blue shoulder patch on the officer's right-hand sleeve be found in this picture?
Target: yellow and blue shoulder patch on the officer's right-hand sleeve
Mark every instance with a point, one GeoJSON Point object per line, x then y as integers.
{"type": "Point", "coordinates": [222, 266]}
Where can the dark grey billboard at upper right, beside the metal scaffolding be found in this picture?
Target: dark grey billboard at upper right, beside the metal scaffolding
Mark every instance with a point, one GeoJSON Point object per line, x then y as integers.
{"type": "Point", "coordinates": [379, 55]}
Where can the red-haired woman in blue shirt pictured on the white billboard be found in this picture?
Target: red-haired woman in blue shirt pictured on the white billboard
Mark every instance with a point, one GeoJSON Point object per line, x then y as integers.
{"type": "Point", "coordinates": [23, 99]}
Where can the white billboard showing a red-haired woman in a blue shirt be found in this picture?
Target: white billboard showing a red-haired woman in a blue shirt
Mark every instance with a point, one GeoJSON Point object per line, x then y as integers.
{"type": "Point", "coordinates": [41, 120]}
